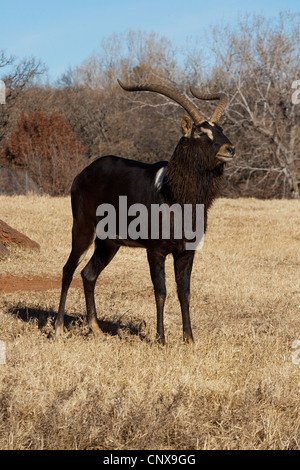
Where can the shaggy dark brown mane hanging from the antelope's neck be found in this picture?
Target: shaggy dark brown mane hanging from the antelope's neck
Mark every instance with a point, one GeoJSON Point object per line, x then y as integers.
{"type": "Point", "coordinates": [190, 177]}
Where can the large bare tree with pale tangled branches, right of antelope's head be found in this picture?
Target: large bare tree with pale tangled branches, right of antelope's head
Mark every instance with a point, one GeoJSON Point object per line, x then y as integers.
{"type": "Point", "coordinates": [261, 61]}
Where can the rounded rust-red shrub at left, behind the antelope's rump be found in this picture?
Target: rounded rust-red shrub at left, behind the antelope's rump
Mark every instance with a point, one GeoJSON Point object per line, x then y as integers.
{"type": "Point", "coordinates": [48, 148]}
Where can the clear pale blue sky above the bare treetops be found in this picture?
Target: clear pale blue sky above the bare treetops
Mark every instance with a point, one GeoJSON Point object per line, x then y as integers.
{"type": "Point", "coordinates": [63, 33]}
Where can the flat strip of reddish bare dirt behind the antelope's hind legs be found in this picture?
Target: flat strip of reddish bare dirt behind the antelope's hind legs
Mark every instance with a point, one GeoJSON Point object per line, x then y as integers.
{"type": "Point", "coordinates": [14, 283]}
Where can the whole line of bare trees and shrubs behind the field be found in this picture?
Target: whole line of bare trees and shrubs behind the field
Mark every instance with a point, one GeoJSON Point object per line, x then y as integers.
{"type": "Point", "coordinates": [55, 130]}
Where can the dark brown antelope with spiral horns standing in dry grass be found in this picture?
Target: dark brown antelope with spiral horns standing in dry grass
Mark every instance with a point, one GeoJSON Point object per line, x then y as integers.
{"type": "Point", "coordinates": [193, 176]}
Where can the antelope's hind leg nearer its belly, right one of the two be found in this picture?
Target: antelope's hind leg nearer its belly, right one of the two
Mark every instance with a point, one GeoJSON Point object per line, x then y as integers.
{"type": "Point", "coordinates": [103, 254]}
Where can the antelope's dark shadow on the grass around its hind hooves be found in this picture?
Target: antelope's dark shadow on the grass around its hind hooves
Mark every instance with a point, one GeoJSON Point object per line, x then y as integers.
{"type": "Point", "coordinates": [46, 318]}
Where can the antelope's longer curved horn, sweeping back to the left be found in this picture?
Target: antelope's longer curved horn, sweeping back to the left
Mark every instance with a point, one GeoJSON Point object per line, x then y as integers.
{"type": "Point", "coordinates": [170, 93]}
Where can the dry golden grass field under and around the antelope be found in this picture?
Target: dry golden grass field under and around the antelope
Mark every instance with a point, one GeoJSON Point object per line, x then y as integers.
{"type": "Point", "coordinates": [236, 387]}
